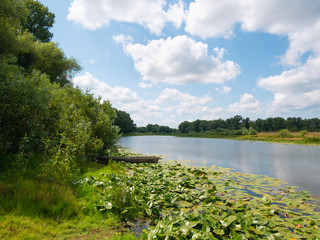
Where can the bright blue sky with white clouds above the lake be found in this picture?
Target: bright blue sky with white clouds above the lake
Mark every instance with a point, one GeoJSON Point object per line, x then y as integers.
{"type": "Point", "coordinates": [169, 61]}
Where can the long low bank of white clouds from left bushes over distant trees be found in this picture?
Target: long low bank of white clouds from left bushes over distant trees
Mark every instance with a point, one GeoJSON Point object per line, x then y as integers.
{"type": "Point", "coordinates": [169, 107]}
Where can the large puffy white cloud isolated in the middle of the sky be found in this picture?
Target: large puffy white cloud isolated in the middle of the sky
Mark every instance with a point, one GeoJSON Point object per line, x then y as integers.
{"type": "Point", "coordinates": [180, 60]}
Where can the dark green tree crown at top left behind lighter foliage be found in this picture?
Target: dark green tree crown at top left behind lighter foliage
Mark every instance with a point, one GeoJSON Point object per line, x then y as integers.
{"type": "Point", "coordinates": [38, 21]}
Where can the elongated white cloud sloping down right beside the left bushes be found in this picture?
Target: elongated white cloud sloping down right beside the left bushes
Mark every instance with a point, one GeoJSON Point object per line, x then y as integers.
{"type": "Point", "coordinates": [117, 95]}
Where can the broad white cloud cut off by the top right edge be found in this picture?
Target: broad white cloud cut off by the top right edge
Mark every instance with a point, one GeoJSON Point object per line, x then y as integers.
{"type": "Point", "coordinates": [218, 18]}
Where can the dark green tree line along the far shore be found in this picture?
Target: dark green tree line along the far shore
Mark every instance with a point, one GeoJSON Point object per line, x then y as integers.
{"type": "Point", "coordinates": [236, 125]}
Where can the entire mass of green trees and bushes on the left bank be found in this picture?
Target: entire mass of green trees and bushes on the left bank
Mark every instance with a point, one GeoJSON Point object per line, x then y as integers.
{"type": "Point", "coordinates": [67, 126]}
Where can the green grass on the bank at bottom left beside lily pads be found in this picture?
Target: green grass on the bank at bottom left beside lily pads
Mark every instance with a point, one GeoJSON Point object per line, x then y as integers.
{"type": "Point", "coordinates": [34, 208]}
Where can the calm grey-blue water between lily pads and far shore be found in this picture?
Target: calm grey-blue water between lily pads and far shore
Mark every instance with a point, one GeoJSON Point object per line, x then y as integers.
{"type": "Point", "coordinates": [296, 164]}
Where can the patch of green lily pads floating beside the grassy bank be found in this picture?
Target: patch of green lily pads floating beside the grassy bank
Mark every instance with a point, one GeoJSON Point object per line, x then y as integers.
{"type": "Point", "coordinates": [207, 203]}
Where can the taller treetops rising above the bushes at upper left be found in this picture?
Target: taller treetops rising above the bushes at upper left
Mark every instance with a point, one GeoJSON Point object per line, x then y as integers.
{"type": "Point", "coordinates": [23, 22]}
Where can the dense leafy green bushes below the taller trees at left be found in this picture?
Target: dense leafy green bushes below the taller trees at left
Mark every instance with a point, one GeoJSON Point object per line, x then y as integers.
{"type": "Point", "coordinates": [67, 125]}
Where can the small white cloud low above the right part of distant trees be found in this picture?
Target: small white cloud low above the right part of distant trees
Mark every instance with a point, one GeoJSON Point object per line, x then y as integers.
{"type": "Point", "coordinates": [247, 104]}
